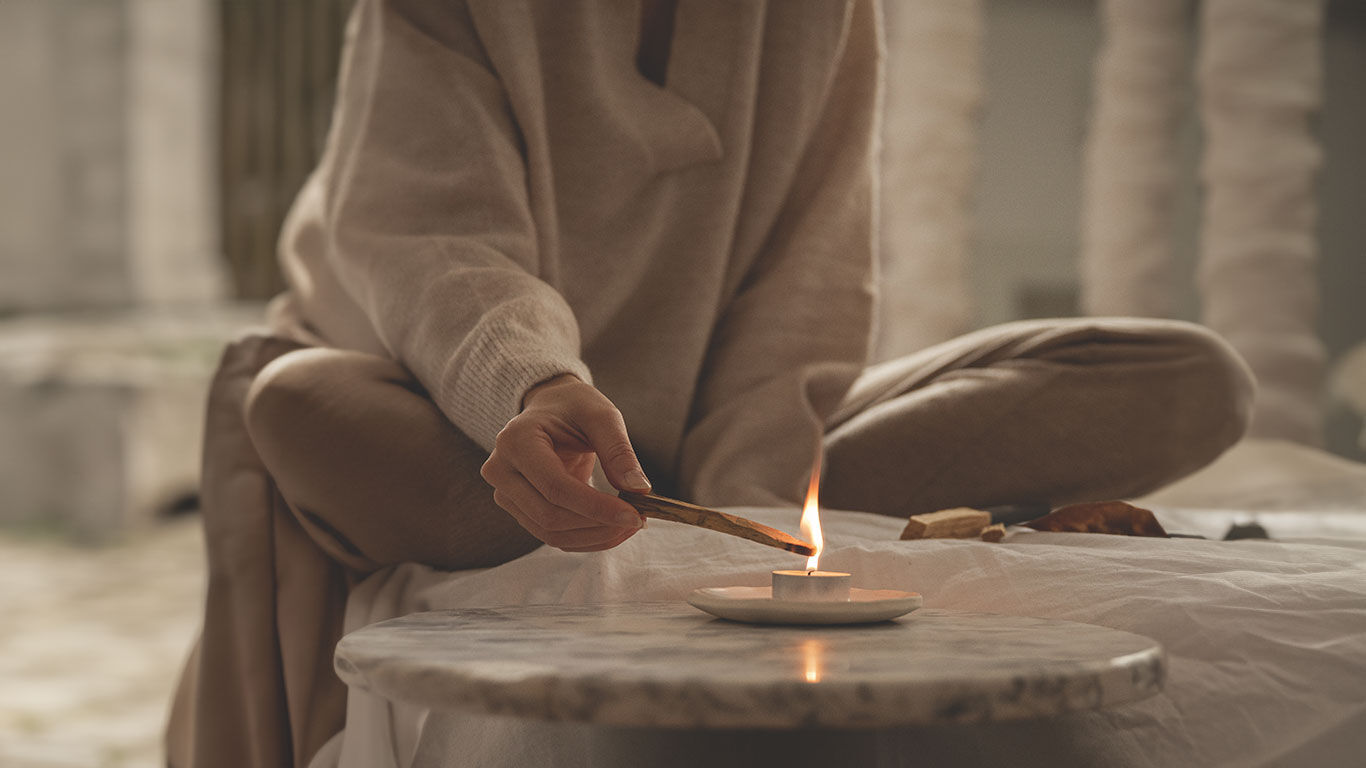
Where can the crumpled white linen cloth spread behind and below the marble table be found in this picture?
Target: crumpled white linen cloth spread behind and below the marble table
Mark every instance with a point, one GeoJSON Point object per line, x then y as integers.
{"type": "Point", "coordinates": [1267, 640]}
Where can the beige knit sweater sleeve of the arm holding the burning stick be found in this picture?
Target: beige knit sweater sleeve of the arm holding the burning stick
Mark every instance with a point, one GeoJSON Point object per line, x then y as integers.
{"type": "Point", "coordinates": [424, 217]}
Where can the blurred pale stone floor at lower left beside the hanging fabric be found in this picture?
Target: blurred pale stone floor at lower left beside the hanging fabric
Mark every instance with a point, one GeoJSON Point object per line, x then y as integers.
{"type": "Point", "coordinates": [92, 642]}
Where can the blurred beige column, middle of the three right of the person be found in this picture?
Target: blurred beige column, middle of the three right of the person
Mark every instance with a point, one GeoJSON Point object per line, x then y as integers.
{"type": "Point", "coordinates": [1132, 158]}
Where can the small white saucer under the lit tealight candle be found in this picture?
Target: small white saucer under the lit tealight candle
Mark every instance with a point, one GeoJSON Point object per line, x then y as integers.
{"type": "Point", "coordinates": [756, 605]}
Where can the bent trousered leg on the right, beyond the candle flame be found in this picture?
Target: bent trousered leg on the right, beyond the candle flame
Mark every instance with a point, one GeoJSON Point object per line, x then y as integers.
{"type": "Point", "coordinates": [1047, 412]}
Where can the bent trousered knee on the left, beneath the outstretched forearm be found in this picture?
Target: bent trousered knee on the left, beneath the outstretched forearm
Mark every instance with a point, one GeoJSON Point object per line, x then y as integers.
{"type": "Point", "coordinates": [375, 471]}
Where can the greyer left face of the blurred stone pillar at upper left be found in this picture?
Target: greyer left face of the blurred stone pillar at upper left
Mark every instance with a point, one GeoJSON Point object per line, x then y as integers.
{"type": "Point", "coordinates": [64, 167]}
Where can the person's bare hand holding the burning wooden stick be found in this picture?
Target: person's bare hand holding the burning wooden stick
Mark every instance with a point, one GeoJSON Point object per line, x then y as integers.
{"type": "Point", "coordinates": [543, 461]}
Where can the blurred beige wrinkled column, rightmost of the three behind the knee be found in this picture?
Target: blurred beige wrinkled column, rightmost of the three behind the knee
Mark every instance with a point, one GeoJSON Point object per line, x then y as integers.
{"type": "Point", "coordinates": [1260, 76]}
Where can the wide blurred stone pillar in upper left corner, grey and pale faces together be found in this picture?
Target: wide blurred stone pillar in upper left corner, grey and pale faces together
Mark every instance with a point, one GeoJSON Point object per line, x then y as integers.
{"type": "Point", "coordinates": [107, 154]}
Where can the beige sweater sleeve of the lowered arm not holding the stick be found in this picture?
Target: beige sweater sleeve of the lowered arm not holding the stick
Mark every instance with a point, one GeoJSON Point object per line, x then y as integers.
{"type": "Point", "coordinates": [796, 337]}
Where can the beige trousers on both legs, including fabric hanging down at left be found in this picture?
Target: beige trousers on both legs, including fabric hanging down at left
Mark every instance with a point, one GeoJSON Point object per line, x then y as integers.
{"type": "Point", "coordinates": [1042, 412]}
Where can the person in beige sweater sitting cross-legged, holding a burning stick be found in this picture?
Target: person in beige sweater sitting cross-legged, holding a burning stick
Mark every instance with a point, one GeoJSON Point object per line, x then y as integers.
{"type": "Point", "coordinates": [548, 237]}
